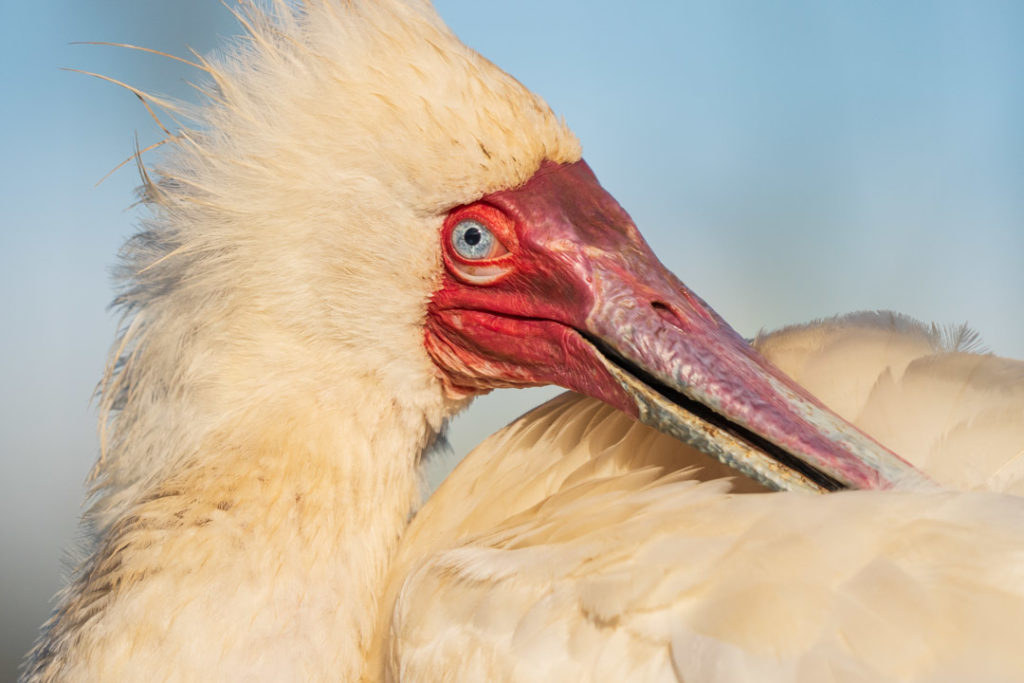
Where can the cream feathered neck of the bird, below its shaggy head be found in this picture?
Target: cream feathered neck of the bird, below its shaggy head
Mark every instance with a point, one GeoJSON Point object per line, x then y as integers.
{"type": "Point", "coordinates": [264, 543]}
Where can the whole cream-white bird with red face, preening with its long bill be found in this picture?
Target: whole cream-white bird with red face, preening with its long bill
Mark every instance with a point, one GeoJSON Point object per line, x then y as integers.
{"type": "Point", "coordinates": [364, 227]}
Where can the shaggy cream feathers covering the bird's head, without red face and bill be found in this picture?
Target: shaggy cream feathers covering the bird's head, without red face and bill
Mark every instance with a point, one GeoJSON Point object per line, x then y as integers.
{"type": "Point", "coordinates": [305, 191]}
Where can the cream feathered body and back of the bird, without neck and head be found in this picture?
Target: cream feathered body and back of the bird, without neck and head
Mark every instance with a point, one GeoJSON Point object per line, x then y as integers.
{"type": "Point", "coordinates": [580, 545]}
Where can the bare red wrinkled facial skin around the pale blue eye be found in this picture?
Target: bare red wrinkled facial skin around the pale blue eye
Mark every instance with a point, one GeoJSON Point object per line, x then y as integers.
{"type": "Point", "coordinates": [521, 330]}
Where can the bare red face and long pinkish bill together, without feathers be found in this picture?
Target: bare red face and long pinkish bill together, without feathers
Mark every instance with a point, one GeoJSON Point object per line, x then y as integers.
{"type": "Point", "coordinates": [577, 298]}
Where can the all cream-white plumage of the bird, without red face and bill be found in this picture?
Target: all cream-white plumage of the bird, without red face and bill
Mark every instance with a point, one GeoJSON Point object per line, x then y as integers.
{"type": "Point", "coordinates": [270, 398]}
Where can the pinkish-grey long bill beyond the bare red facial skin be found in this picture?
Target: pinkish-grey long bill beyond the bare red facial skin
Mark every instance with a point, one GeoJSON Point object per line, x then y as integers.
{"type": "Point", "coordinates": [688, 374]}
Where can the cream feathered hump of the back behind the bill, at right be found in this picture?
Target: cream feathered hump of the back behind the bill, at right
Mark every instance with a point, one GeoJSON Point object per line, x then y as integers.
{"type": "Point", "coordinates": [919, 390]}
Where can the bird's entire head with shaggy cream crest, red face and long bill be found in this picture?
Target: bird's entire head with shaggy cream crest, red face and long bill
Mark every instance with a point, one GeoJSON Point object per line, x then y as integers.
{"type": "Point", "coordinates": [367, 186]}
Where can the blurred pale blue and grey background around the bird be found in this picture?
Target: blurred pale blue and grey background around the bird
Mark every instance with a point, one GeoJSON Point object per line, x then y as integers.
{"type": "Point", "coordinates": [788, 160]}
